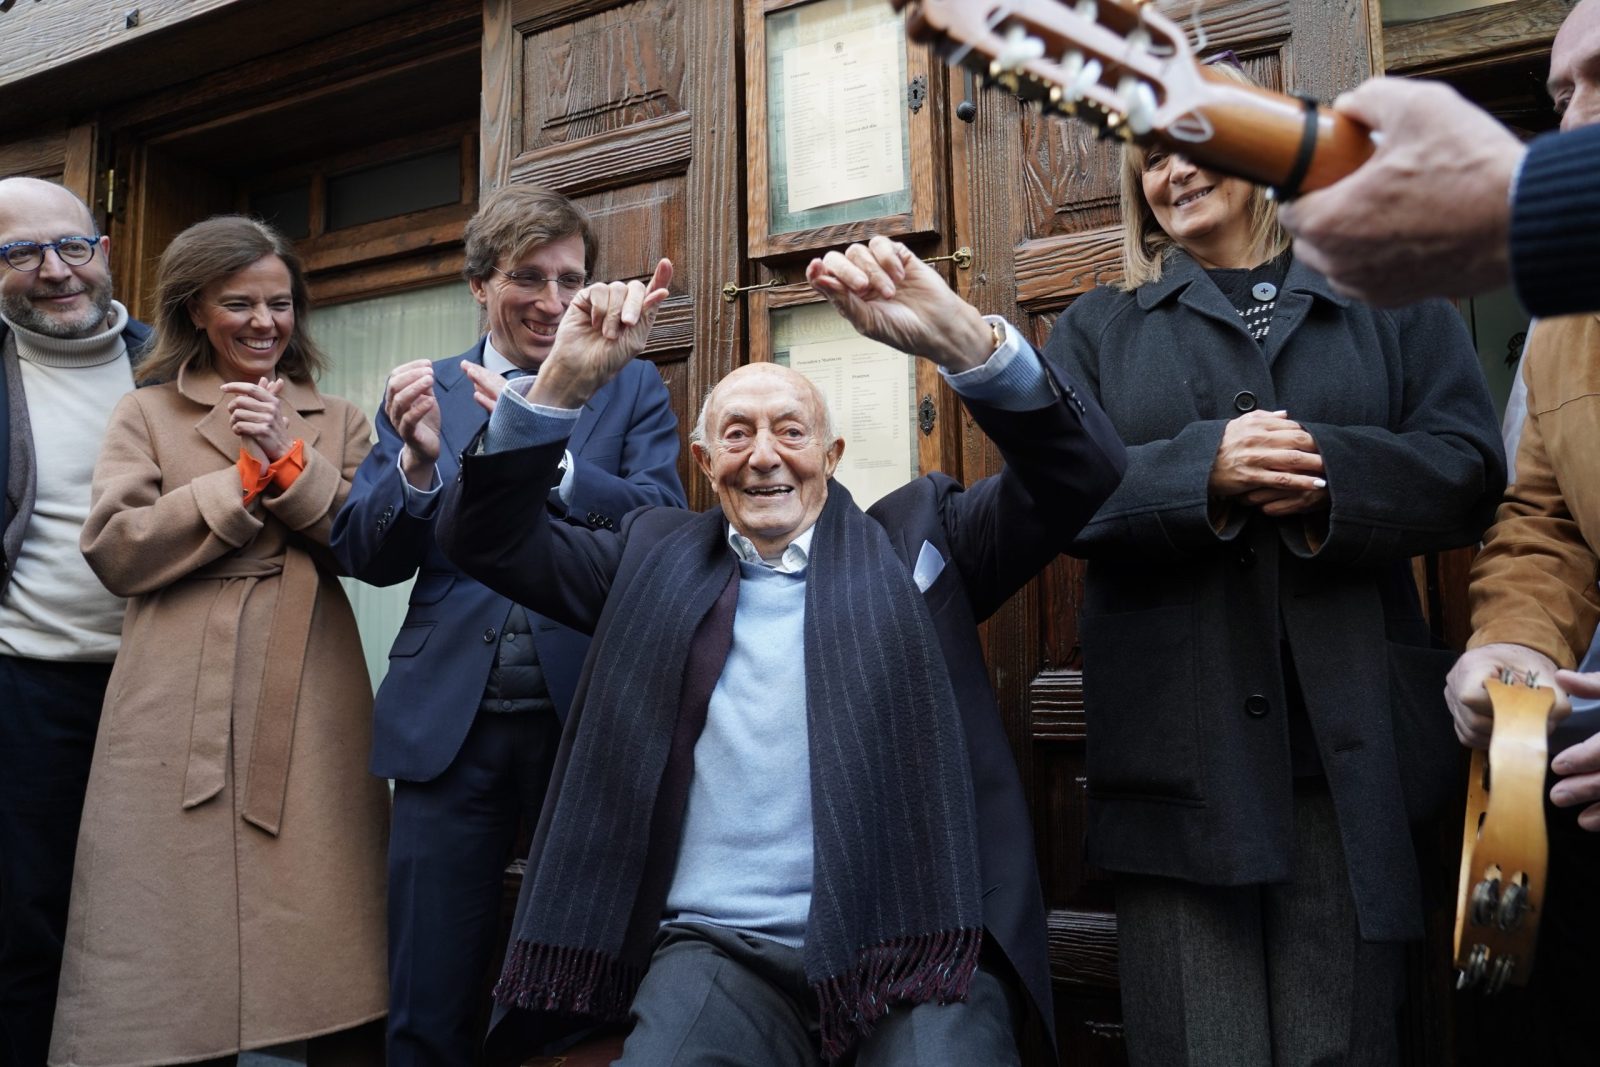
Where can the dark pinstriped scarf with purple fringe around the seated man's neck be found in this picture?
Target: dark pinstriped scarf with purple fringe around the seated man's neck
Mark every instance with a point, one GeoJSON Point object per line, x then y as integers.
{"type": "Point", "coordinates": [897, 911]}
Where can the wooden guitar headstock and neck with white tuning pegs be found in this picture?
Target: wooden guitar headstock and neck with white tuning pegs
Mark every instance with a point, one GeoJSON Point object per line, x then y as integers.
{"type": "Point", "coordinates": [1126, 68]}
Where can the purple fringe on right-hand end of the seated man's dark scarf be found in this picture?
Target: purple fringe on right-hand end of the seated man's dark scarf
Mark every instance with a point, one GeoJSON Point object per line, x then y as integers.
{"type": "Point", "coordinates": [906, 970]}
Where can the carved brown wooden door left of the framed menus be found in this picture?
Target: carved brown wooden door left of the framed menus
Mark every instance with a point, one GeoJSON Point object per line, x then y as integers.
{"type": "Point", "coordinates": [634, 111]}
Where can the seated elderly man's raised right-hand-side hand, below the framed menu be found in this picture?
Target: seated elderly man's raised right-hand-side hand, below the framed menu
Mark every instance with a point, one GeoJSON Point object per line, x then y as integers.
{"type": "Point", "coordinates": [892, 297]}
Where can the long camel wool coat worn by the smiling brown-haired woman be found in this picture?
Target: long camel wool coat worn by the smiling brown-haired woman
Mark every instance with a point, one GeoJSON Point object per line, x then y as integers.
{"type": "Point", "coordinates": [230, 884]}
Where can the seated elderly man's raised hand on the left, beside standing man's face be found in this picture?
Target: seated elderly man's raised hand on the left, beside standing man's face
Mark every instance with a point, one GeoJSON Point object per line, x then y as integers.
{"type": "Point", "coordinates": [604, 329]}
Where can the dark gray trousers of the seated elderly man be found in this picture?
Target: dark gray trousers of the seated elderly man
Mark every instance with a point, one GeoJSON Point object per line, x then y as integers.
{"type": "Point", "coordinates": [721, 999]}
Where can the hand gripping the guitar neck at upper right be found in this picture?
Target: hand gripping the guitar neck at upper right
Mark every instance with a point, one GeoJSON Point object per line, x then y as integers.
{"type": "Point", "coordinates": [1430, 215]}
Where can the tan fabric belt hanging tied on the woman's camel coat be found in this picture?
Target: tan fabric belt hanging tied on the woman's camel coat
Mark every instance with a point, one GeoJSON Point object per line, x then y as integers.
{"type": "Point", "coordinates": [214, 717]}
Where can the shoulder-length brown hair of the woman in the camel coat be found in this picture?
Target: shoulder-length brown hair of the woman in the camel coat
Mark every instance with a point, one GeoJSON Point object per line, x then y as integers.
{"type": "Point", "coordinates": [209, 252]}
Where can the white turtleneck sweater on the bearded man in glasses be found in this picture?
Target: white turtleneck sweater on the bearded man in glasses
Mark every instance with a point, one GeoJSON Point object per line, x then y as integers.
{"type": "Point", "coordinates": [55, 609]}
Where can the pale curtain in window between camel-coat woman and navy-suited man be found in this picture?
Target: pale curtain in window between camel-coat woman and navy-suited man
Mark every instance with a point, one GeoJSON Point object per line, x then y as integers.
{"type": "Point", "coordinates": [366, 340]}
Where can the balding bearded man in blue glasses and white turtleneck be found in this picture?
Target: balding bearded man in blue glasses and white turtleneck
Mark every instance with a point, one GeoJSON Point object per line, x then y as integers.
{"type": "Point", "coordinates": [66, 348]}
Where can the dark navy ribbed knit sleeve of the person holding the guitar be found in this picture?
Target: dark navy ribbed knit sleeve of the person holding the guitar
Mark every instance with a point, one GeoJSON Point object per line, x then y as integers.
{"type": "Point", "coordinates": [1556, 225]}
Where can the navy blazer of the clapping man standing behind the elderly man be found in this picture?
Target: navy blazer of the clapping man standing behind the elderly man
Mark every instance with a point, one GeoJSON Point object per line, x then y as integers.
{"type": "Point", "coordinates": [625, 452]}
